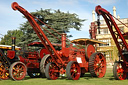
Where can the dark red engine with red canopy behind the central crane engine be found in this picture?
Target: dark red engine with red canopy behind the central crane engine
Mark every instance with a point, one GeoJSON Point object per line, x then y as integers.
{"type": "Point", "coordinates": [32, 59]}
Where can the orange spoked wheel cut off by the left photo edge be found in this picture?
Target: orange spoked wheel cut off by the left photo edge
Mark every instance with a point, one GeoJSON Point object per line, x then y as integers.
{"type": "Point", "coordinates": [4, 74]}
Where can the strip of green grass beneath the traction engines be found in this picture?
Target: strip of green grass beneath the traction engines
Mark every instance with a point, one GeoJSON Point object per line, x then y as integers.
{"type": "Point", "coordinates": [87, 80]}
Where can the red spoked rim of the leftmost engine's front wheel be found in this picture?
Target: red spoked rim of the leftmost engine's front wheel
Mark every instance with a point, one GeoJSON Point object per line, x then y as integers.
{"type": "Point", "coordinates": [18, 71]}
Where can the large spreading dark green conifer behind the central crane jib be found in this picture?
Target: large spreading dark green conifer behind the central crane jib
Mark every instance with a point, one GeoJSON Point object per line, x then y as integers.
{"type": "Point", "coordinates": [60, 21]}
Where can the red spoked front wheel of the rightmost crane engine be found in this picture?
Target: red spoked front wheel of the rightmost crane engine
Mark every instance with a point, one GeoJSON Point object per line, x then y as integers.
{"type": "Point", "coordinates": [118, 71]}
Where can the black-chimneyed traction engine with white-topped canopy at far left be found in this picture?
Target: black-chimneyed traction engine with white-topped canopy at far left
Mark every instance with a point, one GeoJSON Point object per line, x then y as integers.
{"type": "Point", "coordinates": [10, 64]}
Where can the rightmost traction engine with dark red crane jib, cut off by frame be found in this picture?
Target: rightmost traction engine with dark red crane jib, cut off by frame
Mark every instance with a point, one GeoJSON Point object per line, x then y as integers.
{"type": "Point", "coordinates": [120, 68]}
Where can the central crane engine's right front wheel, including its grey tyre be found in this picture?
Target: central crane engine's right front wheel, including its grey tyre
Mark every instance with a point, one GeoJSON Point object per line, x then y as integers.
{"type": "Point", "coordinates": [73, 70]}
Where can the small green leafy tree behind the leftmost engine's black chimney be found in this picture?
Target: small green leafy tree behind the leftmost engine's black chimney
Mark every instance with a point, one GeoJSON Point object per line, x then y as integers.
{"type": "Point", "coordinates": [7, 39]}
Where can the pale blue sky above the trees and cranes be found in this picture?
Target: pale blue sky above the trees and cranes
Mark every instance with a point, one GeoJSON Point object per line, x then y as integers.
{"type": "Point", "coordinates": [10, 19]}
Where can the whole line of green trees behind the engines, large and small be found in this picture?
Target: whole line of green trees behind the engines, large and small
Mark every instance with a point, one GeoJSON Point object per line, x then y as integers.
{"type": "Point", "coordinates": [56, 19]}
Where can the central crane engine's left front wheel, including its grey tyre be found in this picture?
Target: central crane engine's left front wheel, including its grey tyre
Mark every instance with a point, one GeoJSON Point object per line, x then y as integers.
{"type": "Point", "coordinates": [52, 71]}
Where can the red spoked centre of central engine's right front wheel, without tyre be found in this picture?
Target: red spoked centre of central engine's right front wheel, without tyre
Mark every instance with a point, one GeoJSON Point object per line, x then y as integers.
{"type": "Point", "coordinates": [75, 71]}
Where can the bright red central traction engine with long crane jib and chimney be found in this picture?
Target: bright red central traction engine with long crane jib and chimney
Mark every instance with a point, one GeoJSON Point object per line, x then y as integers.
{"type": "Point", "coordinates": [69, 60]}
